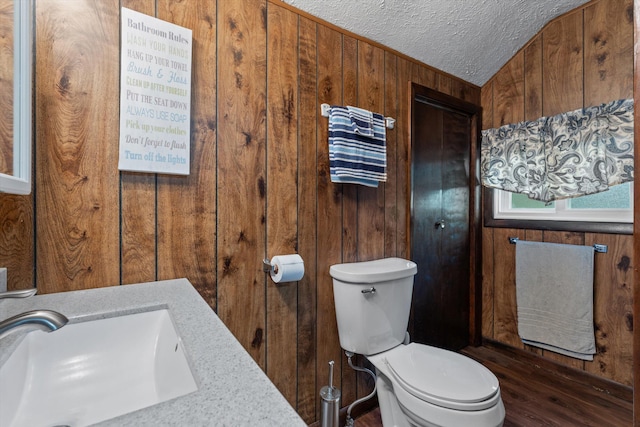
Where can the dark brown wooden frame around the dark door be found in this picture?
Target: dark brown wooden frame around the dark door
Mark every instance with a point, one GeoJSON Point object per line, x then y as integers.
{"type": "Point", "coordinates": [442, 100]}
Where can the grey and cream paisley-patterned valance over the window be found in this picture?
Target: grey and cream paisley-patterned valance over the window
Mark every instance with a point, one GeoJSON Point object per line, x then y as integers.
{"type": "Point", "coordinates": [568, 155]}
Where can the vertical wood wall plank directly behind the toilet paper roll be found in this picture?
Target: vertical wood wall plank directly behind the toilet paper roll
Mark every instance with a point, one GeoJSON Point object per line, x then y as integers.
{"type": "Point", "coordinates": [282, 195]}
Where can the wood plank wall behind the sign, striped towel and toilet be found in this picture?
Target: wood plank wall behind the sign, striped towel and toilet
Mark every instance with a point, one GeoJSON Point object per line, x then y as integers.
{"type": "Point", "coordinates": [259, 183]}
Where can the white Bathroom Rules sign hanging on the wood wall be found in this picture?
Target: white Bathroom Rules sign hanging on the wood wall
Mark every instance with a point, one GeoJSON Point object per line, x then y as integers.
{"type": "Point", "coordinates": [155, 95]}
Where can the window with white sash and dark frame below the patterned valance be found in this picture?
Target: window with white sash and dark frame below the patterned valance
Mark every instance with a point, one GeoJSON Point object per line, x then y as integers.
{"type": "Point", "coordinates": [609, 211]}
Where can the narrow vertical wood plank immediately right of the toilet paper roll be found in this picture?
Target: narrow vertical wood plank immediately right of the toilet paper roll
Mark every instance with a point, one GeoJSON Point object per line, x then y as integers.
{"type": "Point", "coordinates": [307, 219]}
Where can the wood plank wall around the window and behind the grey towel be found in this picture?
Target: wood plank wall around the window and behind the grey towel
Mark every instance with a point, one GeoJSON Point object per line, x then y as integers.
{"type": "Point", "coordinates": [581, 59]}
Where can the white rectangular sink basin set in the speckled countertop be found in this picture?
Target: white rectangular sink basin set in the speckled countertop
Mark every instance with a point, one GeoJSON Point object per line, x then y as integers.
{"type": "Point", "coordinates": [92, 371]}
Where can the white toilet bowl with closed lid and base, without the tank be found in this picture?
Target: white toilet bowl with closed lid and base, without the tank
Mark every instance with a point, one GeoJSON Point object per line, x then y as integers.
{"type": "Point", "coordinates": [422, 385]}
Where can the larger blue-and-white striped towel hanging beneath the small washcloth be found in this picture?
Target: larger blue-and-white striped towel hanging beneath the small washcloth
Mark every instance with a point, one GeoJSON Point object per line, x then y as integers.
{"type": "Point", "coordinates": [355, 158]}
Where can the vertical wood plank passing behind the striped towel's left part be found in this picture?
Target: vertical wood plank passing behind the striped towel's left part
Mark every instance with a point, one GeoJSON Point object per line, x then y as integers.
{"type": "Point", "coordinates": [329, 202]}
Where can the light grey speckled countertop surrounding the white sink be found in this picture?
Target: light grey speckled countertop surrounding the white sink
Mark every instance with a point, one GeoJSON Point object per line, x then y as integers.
{"type": "Point", "coordinates": [232, 389]}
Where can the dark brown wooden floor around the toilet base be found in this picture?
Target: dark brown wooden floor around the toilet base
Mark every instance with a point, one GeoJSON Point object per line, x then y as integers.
{"type": "Point", "coordinates": [537, 393]}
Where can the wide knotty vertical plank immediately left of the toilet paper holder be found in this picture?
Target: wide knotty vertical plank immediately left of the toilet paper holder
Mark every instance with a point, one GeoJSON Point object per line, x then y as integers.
{"type": "Point", "coordinates": [241, 171]}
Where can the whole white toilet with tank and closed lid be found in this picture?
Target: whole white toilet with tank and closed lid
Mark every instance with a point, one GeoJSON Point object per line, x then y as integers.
{"type": "Point", "coordinates": [417, 385]}
